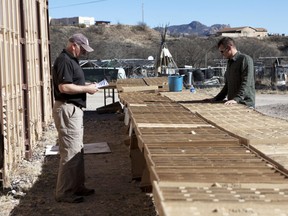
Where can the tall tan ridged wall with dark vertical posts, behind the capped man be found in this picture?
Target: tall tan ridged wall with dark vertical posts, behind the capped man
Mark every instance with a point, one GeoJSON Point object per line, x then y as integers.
{"type": "Point", "coordinates": [26, 96]}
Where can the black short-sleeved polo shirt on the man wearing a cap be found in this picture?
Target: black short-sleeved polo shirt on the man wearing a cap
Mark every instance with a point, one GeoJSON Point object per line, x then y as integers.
{"type": "Point", "coordinates": [66, 69]}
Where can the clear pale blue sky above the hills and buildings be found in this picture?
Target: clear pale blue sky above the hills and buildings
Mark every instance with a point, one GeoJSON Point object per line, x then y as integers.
{"type": "Point", "coordinates": [271, 15]}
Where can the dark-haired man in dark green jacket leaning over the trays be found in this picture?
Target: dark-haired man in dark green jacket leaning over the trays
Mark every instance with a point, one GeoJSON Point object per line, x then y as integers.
{"type": "Point", "coordinates": [239, 76]}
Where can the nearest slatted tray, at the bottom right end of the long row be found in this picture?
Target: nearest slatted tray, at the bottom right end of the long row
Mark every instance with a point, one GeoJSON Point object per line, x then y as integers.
{"type": "Point", "coordinates": [204, 198]}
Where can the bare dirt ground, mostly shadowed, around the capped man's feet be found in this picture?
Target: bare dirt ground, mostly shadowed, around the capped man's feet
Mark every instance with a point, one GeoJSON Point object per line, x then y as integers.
{"type": "Point", "coordinates": [32, 190]}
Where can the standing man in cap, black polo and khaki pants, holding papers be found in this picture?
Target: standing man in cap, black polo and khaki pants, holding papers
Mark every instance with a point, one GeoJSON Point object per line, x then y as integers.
{"type": "Point", "coordinates": [70, 97]}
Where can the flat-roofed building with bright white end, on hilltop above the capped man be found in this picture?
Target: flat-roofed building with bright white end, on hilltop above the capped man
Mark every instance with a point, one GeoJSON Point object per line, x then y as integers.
{"type": "Point", "coordinates": [88, 21]}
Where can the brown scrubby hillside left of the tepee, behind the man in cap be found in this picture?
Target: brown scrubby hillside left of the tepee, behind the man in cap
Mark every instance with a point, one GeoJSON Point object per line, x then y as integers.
{"type": "Point", "coordinates": [110, 42]}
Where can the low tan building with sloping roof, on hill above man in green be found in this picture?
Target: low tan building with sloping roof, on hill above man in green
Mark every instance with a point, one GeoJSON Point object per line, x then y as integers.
{"type": "Point", "coordinates": [245, 31]}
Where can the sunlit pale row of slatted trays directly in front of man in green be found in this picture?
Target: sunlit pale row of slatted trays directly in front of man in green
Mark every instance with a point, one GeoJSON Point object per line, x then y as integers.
{"type": "Point", "coordinates": [265, 135]}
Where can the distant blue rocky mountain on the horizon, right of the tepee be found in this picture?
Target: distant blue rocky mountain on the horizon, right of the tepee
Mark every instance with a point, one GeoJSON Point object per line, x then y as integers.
{"type": "Point", "coordinates": [194, 28]}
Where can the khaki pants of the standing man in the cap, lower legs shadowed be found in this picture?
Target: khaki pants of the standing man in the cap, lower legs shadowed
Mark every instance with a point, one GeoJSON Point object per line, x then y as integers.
{"type": "Point", "coordinates": [69, 123]}
